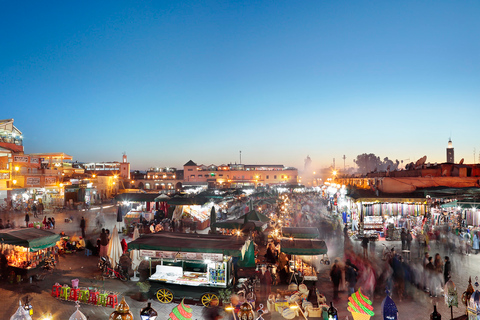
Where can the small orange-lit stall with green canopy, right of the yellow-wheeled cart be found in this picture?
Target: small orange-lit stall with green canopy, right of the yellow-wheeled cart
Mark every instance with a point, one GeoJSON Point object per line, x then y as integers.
{"type": "Point", "coordinates": [305, 256]}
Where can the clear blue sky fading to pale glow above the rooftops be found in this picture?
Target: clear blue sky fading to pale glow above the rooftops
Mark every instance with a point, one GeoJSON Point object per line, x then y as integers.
{"type": "Point", "coordinates": [167, 82]}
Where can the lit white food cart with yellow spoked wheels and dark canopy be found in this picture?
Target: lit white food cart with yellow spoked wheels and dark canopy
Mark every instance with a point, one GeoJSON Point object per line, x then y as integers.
{"type": "Point", "coordinates": [194, 266]}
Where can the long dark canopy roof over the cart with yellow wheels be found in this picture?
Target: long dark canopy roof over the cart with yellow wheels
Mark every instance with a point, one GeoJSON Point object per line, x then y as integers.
{"type": "Point", "coordinates": [185, 242]}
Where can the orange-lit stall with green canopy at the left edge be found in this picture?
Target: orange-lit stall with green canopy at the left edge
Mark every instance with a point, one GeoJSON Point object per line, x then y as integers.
{"type": "Point", "coordinates": [26, 249]}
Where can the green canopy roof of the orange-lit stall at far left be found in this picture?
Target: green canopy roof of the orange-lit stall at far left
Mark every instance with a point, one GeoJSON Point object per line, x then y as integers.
{"type": "Point", "coordinates": [34, 239]}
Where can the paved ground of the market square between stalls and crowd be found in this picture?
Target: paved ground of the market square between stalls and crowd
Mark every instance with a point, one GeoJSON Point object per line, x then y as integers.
{"type": "Point", "coordinates": [418, 306]}
